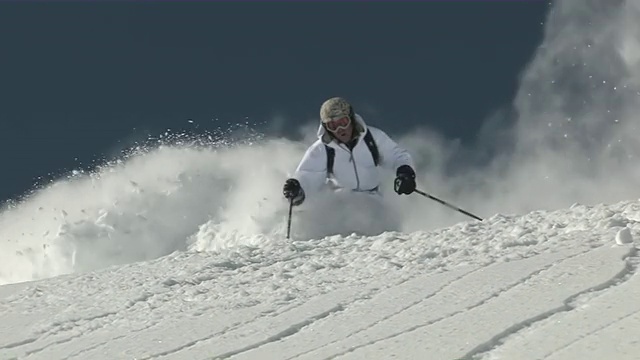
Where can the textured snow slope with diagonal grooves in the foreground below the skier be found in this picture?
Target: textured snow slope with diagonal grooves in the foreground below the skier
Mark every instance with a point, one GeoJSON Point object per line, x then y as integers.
{"type": "Point", "coordinates": [558, 285]}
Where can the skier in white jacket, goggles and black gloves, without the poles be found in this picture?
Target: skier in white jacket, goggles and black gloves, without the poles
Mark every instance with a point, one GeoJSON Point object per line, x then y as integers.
{"type": "Point", "coordinates": [346, 156]}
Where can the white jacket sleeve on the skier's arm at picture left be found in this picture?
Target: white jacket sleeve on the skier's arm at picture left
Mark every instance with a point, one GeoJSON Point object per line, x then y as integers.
{"type": "Point", "coordinates": [312, 169]}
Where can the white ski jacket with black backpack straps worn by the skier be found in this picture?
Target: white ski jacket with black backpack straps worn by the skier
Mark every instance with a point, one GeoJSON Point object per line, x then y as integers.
{"type": "Point", "coordinates": [353, 170]}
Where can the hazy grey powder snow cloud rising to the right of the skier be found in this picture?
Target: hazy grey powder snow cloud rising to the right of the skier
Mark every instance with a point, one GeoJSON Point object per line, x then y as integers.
{"type": "Point", "coordinates": [572, 136]}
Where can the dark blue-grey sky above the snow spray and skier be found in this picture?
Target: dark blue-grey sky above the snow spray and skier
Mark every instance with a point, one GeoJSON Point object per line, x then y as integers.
{"type": "Point", "coordinates": [79, 79]}
